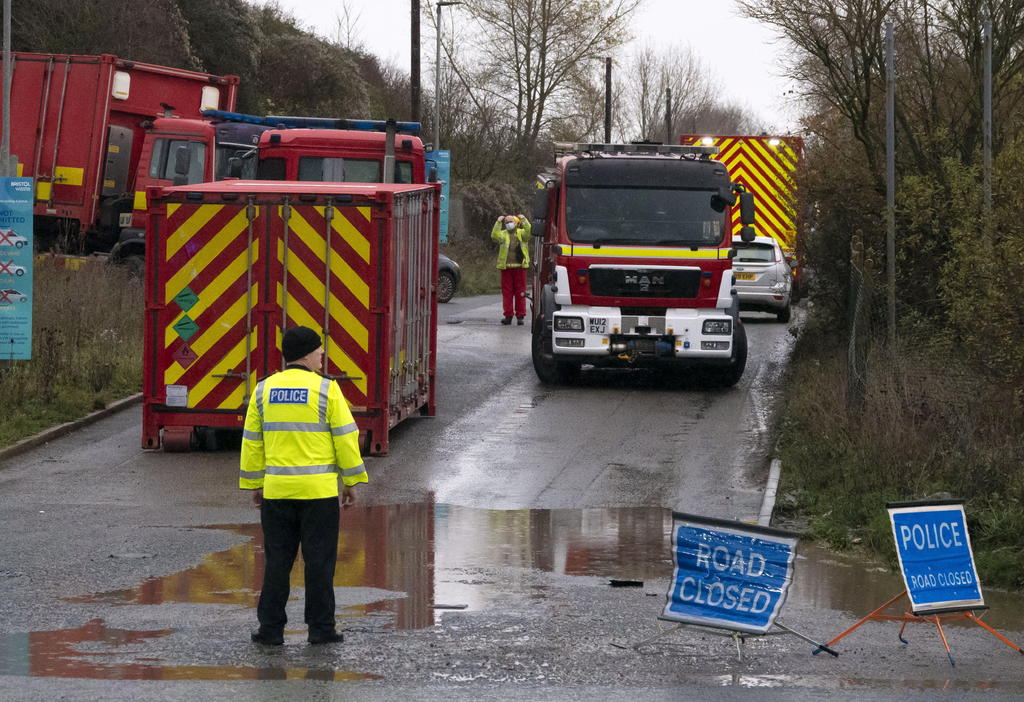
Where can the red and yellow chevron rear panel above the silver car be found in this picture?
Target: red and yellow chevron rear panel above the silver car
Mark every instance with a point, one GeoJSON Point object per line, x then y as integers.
{"type": "Point", "coordinates": [767, 167]}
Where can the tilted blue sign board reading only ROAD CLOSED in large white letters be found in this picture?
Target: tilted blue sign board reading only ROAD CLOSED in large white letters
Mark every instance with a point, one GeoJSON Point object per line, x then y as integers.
{"type": "Point", "coordinates": [729, 575]}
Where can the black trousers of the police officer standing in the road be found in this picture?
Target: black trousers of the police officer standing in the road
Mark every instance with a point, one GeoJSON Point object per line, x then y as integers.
{"type": "Point", "coordinates": [287, 523]}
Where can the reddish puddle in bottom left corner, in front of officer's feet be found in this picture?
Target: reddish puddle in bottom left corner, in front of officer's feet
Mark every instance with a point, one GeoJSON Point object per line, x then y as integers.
{"type": "Point", "coordinates": [91, 651]}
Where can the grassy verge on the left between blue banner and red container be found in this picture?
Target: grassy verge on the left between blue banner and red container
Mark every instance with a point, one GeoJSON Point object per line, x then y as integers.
{"type": "Point", "coordinates": [87, 349]}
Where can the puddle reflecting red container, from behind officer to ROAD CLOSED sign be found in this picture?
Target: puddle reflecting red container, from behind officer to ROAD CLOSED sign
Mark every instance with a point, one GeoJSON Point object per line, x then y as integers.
{"type": "Point", "coordinates": [435, 555]}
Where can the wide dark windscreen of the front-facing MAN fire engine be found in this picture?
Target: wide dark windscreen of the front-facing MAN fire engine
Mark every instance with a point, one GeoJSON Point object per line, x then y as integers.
{"type": "Point", "coordinates": [598, 214]}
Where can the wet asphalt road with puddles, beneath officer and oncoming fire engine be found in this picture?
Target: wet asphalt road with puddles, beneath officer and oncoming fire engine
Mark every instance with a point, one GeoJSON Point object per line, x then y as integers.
{"type": "Point", "coordinates": [127, 575]}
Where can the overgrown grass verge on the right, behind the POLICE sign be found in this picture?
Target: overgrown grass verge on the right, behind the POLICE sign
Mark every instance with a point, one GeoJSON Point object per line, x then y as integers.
{"type": "Point", "coordinates": [930, 427]}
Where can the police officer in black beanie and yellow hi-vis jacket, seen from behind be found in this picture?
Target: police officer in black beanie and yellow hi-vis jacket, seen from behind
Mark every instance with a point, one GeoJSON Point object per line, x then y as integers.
{"type": "Point", "coordinates": [300, 438]}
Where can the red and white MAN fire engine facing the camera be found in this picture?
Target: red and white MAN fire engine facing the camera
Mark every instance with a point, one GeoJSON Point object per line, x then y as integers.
{"type": "Point", "coordinates": [634, 261]}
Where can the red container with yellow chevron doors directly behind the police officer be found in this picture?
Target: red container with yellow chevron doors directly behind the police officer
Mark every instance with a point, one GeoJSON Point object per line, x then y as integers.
{"type": "Point", "coordinates": [230, 266]}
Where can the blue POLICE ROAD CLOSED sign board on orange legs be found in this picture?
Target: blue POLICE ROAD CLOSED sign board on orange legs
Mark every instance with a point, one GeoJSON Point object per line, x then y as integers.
{"type": "Point", "coordinates": [935, 556]}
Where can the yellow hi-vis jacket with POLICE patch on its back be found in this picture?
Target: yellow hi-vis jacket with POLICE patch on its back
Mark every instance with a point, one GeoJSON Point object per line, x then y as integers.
{"type": "Point", "coordinates": [300, 436]}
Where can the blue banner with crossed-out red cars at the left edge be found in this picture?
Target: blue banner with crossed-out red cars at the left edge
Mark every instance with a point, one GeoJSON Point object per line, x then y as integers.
{"type": "Point", "coordinates": [16, 269]}
